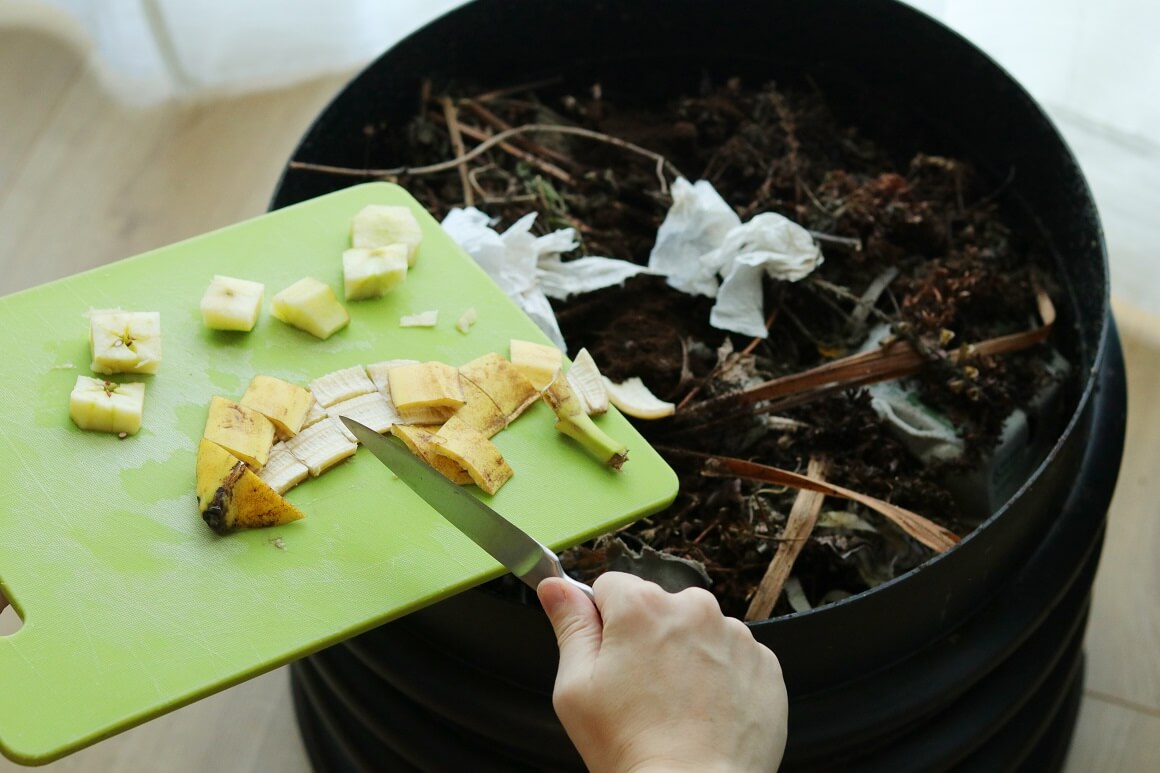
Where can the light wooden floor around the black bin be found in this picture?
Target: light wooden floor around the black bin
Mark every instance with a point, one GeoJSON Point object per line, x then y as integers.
{"type": "Point", "coordinates": [84, 182]}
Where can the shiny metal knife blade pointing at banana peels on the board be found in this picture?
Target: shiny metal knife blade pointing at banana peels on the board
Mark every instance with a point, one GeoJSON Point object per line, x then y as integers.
{"type": "Point", "coordinates": [520, 553]}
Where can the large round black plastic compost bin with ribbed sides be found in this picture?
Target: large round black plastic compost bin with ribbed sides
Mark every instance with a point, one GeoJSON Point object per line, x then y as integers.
{"type": "Point", "coordinates": [975, 659]}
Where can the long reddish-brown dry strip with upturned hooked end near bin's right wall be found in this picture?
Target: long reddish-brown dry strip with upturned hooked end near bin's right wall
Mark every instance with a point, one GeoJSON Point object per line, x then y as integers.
{"type": "Point", "coordinates": [895, 360]}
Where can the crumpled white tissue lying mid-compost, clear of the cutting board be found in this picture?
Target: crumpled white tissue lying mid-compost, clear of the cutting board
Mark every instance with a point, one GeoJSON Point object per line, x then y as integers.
{"type": "Point", "coordinates": [702, 240]}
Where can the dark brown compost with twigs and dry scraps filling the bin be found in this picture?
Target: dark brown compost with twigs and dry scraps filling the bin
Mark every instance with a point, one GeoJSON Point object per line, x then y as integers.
{"type": "Point", "coordinates": [912, 241]}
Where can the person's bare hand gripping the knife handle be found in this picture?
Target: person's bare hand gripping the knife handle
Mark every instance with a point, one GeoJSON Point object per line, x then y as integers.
{"type": "Point", "coordinates": [657, 681]}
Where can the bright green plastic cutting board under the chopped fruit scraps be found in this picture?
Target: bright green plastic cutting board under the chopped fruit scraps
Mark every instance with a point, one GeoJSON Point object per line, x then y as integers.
{"type": "Point", "coordinates": [132, 605]}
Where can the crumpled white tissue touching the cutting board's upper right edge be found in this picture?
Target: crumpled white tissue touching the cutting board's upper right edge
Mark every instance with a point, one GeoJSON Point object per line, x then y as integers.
{"type": "Point", "coordinates": [530, 270]}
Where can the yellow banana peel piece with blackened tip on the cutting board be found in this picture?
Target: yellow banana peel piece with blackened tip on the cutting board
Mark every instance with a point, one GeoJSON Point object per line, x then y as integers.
{"type": "Point", "coordinates": [230, 496]}
